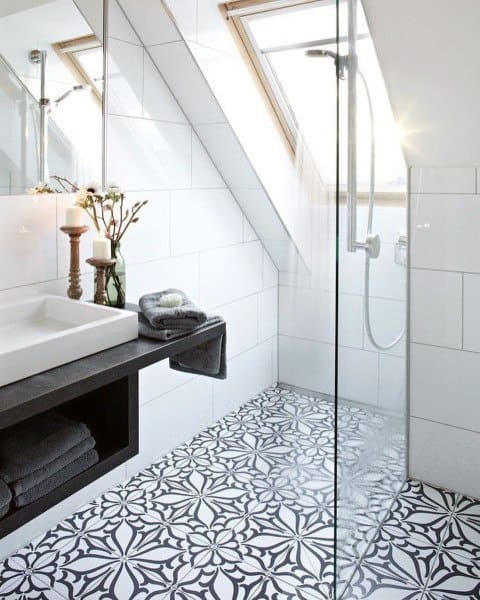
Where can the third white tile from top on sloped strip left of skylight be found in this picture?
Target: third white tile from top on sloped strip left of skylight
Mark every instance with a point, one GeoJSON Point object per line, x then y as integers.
{"type": "Point", "coordinates": [228, 155]}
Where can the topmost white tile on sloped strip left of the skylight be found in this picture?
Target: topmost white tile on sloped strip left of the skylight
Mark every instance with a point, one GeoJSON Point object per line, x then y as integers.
{"type": "Point", "coordinates": [151, 21]}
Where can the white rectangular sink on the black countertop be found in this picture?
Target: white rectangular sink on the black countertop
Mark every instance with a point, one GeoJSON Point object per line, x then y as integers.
{"type": "Point", "coordinates": [48, 331]}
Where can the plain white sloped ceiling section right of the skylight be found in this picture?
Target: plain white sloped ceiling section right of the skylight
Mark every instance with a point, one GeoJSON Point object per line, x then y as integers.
{"type": "Point", "coordinates": [429, 51]}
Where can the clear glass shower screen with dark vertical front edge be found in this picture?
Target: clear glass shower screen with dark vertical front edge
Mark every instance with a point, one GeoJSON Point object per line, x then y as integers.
{"type": "Point", "coordinates": [371, 401]}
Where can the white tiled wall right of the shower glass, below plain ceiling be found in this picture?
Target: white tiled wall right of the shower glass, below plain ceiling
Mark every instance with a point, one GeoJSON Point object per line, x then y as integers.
{"type": "Point", "coordinates": [445, 327]}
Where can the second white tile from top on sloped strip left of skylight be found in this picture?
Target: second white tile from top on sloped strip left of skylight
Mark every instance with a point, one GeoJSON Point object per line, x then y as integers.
{"type": "Point", "coordinates": [187, 83]}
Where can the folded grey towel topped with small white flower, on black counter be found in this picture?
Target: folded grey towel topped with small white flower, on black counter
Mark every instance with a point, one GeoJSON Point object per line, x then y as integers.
{"type": "Point", "coordinates": [184, 317]}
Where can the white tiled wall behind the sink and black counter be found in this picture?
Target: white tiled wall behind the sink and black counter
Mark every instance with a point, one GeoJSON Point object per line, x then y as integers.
{"type": "Point", "coordinates": [192, 235]}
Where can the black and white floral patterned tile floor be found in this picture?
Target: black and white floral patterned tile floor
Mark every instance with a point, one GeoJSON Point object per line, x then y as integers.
{"type": "Point", "coordinates": [244, 511]}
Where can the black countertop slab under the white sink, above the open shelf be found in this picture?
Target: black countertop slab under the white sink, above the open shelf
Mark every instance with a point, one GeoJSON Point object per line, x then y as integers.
{"type": "Point", "coordinates": [33, 395]}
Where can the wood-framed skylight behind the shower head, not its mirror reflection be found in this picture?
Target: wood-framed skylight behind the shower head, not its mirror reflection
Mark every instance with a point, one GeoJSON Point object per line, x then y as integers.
{"type": "Point", "coordinates": [303, 90]}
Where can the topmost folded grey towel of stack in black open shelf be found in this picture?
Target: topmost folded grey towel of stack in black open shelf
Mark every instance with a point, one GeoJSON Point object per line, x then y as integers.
{"type": "Point", "coordinates": [32, 444]}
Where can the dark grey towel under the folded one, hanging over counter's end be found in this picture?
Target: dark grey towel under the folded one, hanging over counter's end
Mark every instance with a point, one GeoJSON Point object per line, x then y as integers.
{"type": "Point", "coordinates": [207, 359]}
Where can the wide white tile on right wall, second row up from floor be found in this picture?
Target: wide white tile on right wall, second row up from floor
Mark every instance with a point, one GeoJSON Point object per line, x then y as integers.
{"type": "Point", "coordinates": [444, 386]}
